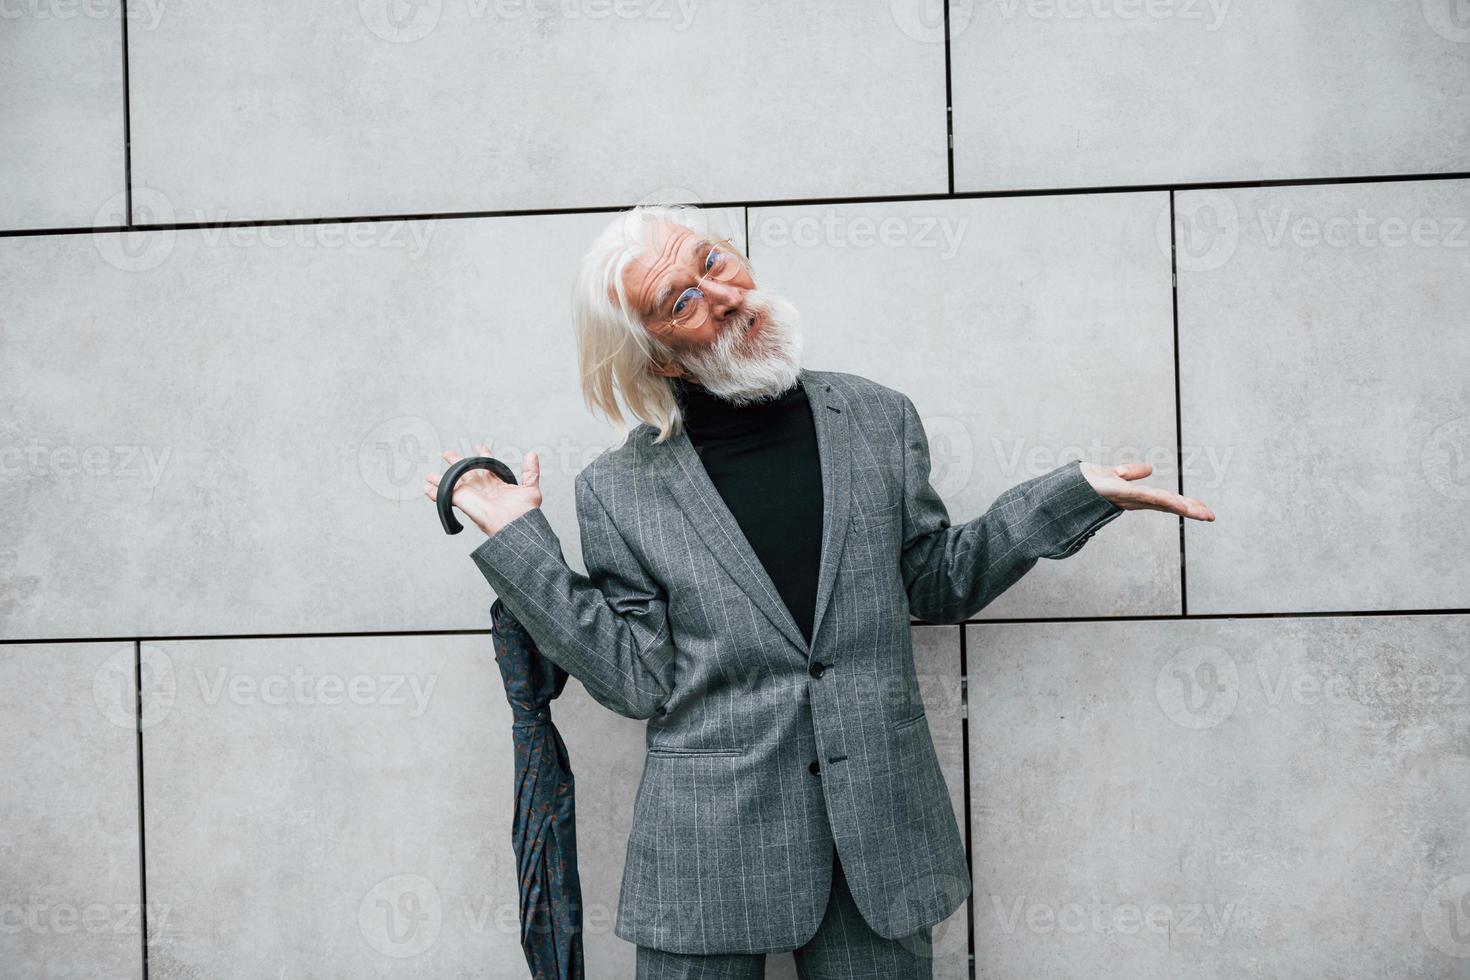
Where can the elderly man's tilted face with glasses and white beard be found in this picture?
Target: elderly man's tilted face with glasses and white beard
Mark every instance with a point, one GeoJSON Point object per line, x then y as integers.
{"type": "Point", "coordinates": [745, 346]}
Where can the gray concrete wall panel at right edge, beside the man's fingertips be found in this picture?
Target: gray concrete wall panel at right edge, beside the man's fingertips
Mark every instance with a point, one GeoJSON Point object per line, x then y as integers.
{"type": "Point", "coordinates": [1324, 364]}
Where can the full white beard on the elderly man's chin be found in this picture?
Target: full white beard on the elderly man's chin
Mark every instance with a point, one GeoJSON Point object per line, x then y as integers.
{"type": "Point", "coordinates": [746, 371]}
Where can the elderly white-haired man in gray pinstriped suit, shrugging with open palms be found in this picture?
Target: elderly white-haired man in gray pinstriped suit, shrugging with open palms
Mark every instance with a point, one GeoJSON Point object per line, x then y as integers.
{"type": "Point", "coordinates": [755, 552]}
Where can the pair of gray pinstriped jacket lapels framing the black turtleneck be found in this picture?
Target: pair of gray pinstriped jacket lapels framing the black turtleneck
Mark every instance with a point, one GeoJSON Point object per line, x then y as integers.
{"type": "Point", "coordinates": [683, 471]}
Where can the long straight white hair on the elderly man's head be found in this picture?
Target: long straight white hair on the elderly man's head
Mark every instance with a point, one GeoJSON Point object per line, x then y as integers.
{"type": "Point", "coordinates": [615, 352]}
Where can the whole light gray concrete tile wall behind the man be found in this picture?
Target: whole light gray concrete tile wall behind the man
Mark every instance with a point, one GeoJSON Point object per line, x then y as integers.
{"type": "Point", "coordinates": [261, 264]}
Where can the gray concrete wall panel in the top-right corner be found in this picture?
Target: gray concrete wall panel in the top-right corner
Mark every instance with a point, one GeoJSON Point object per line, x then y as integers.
{"type": "Point", "coordinates": [1108, 93]}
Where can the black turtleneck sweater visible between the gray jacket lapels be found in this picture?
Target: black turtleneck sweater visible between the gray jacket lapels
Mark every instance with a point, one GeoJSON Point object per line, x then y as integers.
{"type": "Point", "coordinates": [764, 462]}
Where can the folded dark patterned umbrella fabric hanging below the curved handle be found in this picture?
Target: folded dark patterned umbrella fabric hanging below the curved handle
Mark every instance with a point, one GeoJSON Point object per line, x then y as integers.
{"type": "Point", "coordinates": [545, 831]}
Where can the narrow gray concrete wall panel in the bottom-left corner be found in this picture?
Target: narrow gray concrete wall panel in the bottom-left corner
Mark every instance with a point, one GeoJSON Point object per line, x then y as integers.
{"type": "Point", "coordinates": [71, 898]}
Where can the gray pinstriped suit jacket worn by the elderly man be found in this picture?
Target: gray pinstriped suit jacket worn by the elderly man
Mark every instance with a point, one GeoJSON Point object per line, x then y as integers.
{"type": "Point", "coordinates": [678, 622]}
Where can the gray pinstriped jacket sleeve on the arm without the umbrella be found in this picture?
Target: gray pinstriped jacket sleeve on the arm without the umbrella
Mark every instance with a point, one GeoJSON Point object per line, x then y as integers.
{"type": "Point", "coordinates": [953, 572]}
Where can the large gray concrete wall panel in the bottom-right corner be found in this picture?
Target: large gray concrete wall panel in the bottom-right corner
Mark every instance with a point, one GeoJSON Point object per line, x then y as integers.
{"type": "Point", "coordinates": [1221, 799]}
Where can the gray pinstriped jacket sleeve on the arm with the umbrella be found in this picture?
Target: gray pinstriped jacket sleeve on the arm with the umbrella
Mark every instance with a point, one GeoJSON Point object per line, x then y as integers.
{"type": "Point", "coordinates": [609, 628]}
